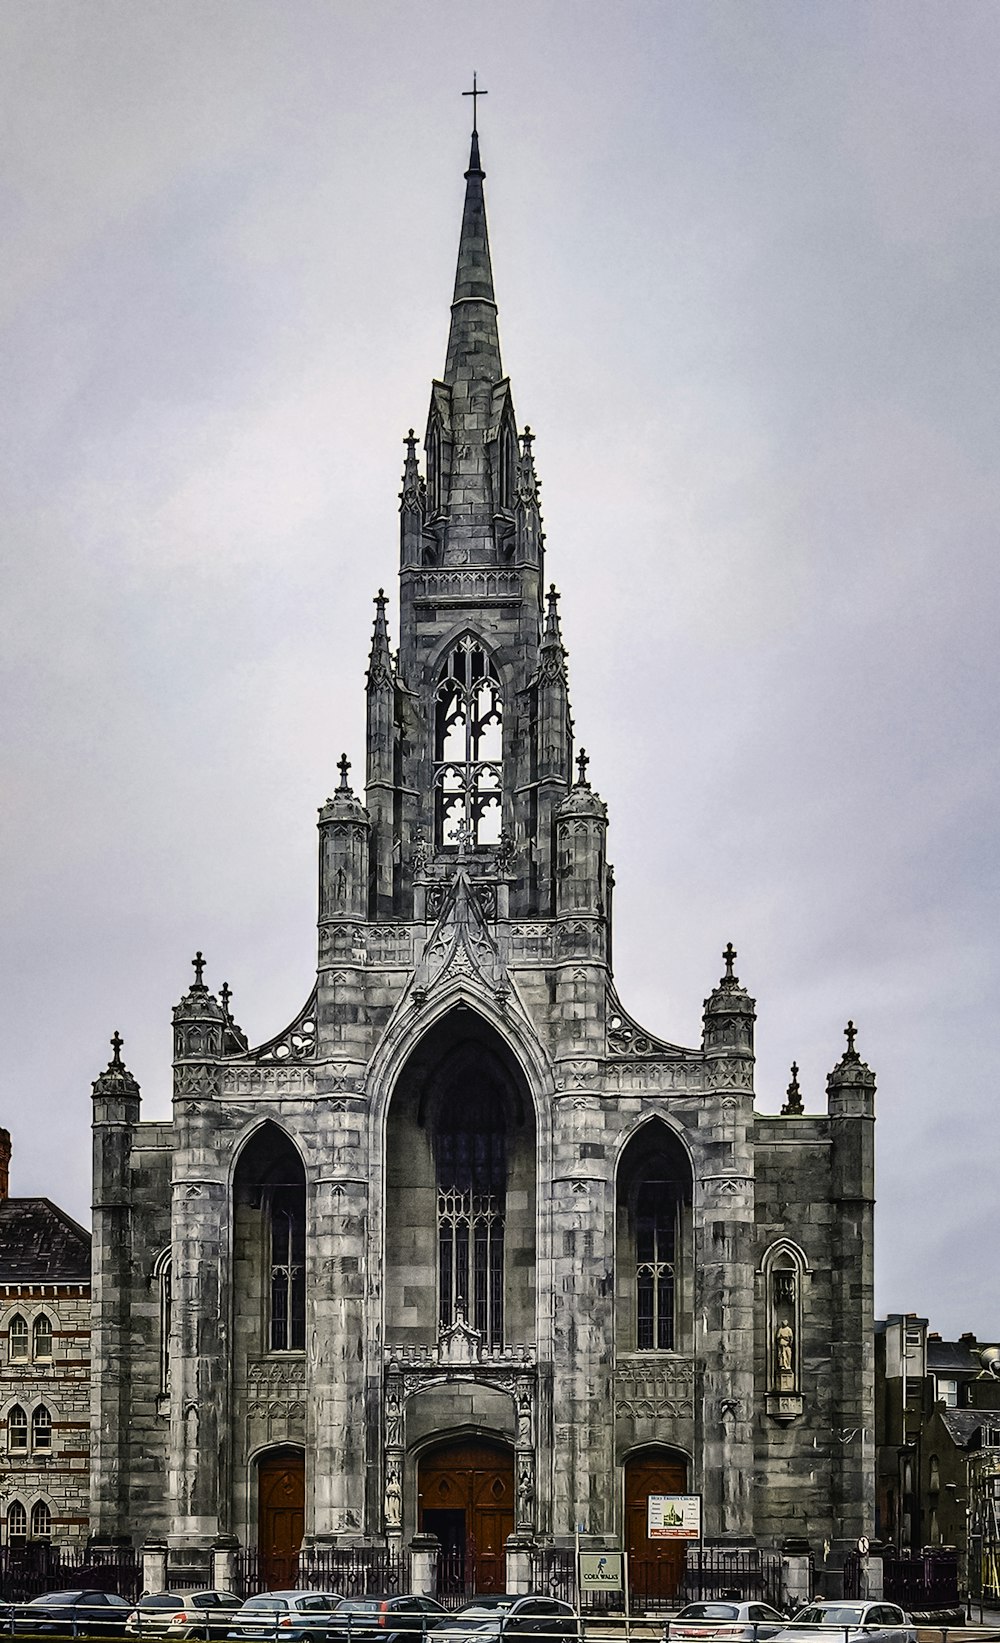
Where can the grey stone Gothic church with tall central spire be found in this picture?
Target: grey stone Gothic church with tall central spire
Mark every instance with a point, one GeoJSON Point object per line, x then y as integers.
{"type": "Point", "coordinates": [466, 1250]}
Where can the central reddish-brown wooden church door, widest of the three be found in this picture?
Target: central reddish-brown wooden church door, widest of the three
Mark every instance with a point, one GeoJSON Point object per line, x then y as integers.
{"type": "Point", "coordinates": [466, 1496]}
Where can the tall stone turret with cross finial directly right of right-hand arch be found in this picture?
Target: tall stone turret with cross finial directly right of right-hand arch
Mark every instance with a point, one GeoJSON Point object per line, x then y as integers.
{"type": "Point", "coordinates": [727, 1263]}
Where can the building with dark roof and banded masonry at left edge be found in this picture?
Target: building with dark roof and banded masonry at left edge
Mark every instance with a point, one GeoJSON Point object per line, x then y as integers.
{"type": "Point", "coordinates": [45, 1371]}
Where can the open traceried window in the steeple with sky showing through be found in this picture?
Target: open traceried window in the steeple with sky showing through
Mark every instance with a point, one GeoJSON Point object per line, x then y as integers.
{"type": "Point", "coordinates": [469, 748]}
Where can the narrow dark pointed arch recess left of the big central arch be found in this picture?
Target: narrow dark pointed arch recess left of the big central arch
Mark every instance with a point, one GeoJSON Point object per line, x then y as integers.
{"type": "Point", "coordinates": [270, 1243]}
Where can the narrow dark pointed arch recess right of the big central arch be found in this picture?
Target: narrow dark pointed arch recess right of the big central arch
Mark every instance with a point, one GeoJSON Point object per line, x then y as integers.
{"type": "Point", "coordinates": [654, 1243]}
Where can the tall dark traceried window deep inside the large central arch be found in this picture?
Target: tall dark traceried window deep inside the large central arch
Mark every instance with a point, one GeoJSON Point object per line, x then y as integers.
{"type": "Point", "coordinates": [472, 1189]}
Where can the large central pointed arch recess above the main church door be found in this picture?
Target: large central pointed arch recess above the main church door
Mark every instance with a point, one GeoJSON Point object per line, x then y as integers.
{"type": "Point", "coordinates": [461, 1192]}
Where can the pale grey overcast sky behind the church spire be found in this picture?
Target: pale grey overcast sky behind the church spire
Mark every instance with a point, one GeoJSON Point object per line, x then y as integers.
{"type": "Point", "coordinates": [746, 260]}
